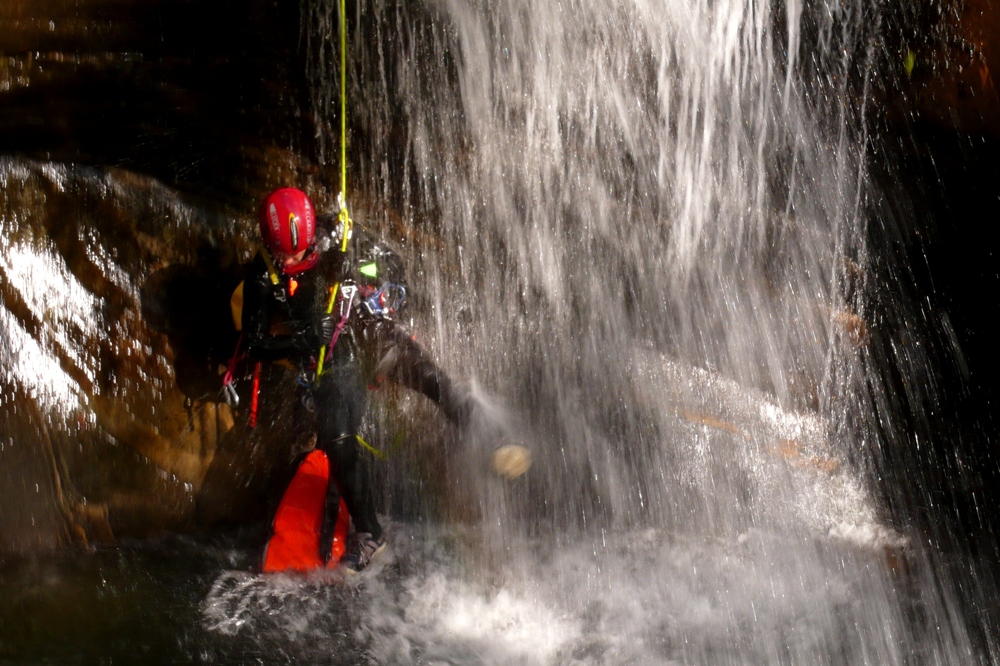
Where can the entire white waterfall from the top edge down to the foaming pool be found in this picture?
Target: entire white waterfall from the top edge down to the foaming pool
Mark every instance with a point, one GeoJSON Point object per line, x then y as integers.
{"type": "Point", "coordinates": [646, 225]}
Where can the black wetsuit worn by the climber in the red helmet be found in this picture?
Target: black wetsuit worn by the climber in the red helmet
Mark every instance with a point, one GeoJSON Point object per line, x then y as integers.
{"type": "Point", "coordinates": [281, 325]}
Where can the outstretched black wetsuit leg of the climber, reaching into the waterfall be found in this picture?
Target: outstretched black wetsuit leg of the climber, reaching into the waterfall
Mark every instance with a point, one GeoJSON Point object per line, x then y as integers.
{"type": "Point", "coordinates": [404, 362]}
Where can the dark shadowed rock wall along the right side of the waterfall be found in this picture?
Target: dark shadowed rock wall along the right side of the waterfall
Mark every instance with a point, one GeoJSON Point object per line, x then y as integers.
{"type": "Point", "coordinates": [935, 154]}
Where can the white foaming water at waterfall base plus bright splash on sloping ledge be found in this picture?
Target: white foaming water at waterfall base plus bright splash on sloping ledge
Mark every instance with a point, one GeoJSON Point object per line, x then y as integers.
{"type": "Point", "coordinates": [694, 593]}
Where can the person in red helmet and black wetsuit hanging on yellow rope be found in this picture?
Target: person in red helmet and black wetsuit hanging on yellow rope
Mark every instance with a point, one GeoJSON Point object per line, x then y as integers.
{"type": "Point", "coordinates": [286, 297]}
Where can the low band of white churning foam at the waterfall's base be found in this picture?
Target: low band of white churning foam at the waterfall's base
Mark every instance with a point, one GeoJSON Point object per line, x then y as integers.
{"type": "Point", "coordinates": [638, 597]}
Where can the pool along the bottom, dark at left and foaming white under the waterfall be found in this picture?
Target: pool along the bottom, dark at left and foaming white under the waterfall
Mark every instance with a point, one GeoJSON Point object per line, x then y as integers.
{"type": "Point", "coordinates": [437, 598]}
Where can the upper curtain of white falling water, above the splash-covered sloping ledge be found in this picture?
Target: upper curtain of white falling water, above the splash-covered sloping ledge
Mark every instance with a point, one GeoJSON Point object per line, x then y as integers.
{"type": "Point", "coordinates": [607, 189]}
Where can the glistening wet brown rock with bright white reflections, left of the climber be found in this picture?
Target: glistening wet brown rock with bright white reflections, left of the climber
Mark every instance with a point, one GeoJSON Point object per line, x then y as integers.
{"type": "Point", "coordinates": [97, 425]}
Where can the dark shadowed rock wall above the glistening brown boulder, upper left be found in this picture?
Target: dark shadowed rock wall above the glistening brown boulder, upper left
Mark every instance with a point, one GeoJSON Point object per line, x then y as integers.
{"type": "Point", "coordinates": [203, 95]}
